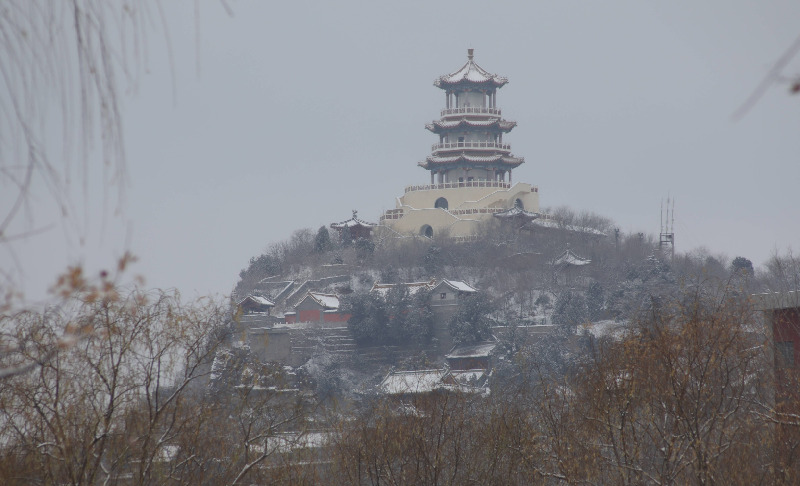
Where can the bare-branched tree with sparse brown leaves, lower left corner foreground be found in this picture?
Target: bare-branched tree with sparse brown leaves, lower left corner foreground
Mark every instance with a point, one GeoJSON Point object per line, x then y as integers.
{"type": "Point", "coordinates": [110, 405]}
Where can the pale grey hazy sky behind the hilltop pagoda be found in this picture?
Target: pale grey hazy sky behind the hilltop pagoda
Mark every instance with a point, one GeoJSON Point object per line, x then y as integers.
{"type": "Point", "coordinates": [303, 111]}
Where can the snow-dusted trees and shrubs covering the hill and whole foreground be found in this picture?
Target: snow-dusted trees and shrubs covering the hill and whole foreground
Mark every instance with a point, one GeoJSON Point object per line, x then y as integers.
{"type": "Point", "coordinates": [657, 371]}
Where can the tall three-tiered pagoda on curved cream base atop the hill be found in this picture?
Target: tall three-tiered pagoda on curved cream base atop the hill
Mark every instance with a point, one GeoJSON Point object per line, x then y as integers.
{"type": "Point", "coordinates": [470, 167]}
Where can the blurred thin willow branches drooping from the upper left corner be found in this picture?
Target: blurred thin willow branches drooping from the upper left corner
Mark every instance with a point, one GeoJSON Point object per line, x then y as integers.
{"type": "Point", "coordinates": [65, 67]}
